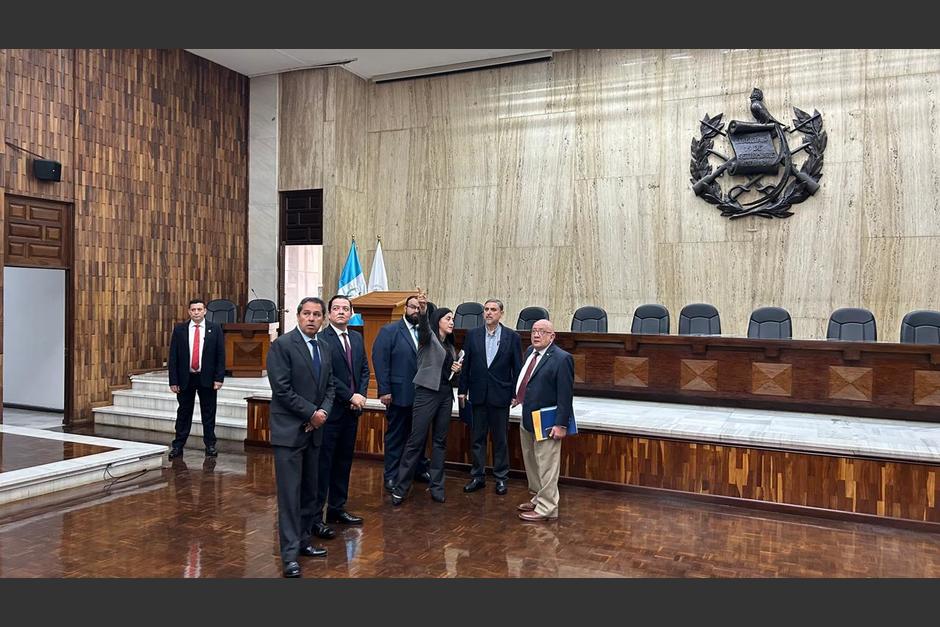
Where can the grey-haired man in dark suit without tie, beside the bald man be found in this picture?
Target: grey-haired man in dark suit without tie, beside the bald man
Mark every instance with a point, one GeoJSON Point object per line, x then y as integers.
{"type": "Point", "coordinates": [492, 359]}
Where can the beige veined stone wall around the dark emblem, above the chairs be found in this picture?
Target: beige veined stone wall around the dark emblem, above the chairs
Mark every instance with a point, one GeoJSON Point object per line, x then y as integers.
{"type": "Point", "coordinates": [567, 183]}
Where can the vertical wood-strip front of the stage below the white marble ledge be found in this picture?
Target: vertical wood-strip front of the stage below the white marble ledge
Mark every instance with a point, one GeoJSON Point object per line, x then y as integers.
{"type": "Point", "coordinates": [890, 489]}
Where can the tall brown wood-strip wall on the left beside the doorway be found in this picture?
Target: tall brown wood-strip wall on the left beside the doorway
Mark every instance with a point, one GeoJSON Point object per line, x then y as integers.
{"type": "Point", "coordinates": [153, 145]}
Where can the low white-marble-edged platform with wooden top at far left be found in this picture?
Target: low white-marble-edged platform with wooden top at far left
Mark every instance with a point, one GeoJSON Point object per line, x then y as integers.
{"type": "Point", "coordinates": [34, 462]}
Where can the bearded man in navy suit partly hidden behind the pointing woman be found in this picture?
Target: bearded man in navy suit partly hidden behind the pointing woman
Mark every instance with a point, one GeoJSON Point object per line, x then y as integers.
{"type": "Point", "coordinates": [394, 357]}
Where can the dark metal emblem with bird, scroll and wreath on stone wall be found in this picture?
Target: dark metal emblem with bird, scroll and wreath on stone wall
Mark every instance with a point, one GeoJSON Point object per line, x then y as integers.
{"type": "Point", "coordinates": [769, 181]}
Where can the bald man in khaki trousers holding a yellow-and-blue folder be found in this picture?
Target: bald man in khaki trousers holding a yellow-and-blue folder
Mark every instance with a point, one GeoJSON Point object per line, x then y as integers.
{"type": "Point", "coordinates": [547, 380]}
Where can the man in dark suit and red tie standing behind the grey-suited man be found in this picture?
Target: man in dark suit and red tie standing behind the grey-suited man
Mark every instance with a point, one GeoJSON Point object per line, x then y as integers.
{"type": "Point", "coordinates": [351, 379]}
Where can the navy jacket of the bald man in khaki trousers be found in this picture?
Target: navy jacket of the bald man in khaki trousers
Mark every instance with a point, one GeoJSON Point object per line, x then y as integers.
{"type": "Point", "coordinates": [551, 384]}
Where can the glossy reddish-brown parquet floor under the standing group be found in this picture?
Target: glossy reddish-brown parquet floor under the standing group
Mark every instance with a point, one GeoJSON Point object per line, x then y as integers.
{"type": "Point", "coordinates": [205, 518]}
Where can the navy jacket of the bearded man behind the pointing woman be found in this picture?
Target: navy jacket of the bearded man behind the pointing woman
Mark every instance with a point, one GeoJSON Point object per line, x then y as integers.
{"type": "Point", "coordinates": [394, 358]}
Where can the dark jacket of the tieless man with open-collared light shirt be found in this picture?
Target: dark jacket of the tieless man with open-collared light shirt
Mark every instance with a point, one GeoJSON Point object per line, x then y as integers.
{"type": "Point", "coordinates": [494, 384]}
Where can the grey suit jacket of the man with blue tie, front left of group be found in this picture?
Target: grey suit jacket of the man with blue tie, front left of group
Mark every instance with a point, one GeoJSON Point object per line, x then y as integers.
{"type": "Point", "coordinates": [296, 394]}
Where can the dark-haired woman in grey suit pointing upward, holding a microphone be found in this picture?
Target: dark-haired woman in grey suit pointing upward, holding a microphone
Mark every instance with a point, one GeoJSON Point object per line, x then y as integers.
{"type": "Point", "coordinates": [434, 399]}
